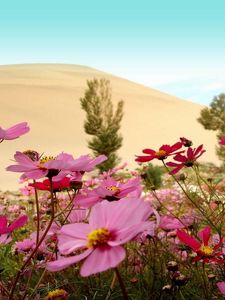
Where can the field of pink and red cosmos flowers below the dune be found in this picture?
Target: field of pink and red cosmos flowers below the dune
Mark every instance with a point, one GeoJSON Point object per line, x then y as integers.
{"type": "Point", "coordinates": [149, 233]}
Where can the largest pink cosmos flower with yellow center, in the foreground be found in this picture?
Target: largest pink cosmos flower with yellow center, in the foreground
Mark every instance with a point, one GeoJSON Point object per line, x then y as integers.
{"type": "Point", "coordinates": [111, 224]}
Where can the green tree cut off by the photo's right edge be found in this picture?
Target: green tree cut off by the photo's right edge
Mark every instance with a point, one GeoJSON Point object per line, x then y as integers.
{"type": "Point", "coordinates": [213, 118]}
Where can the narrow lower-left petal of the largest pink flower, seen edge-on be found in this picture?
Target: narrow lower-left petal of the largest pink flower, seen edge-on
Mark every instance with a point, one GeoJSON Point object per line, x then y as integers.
{"type": "Point", "coordinates": [63, 263]}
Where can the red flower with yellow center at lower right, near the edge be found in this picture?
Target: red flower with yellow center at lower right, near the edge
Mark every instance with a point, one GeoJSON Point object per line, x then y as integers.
{"type": "Point", "coordinates": [204, 251]}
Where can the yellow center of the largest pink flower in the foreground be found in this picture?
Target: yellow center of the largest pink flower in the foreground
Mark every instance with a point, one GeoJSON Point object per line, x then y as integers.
{"type": "Point", "coordinates": [98, 237]}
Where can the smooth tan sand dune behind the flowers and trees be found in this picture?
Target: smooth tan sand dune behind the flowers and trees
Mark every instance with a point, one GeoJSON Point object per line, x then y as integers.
{"type": "Point", "coordinates": [47, 97]}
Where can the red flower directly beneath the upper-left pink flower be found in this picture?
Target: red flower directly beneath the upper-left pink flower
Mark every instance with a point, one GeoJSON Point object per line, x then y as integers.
{"type": "Point", "coordinates": [56, 185]}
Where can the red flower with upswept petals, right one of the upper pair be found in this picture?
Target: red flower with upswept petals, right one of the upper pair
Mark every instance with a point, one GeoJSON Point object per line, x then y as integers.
{"type": "Point", "coordinates": [186, 161]}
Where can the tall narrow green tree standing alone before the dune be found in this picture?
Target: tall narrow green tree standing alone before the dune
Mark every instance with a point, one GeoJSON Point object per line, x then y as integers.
{"type": "Point", "coordinates": [101, 121]}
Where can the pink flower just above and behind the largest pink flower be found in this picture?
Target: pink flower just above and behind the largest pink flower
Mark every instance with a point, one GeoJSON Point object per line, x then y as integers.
{"type": "Point", "coordinates": [109, 189]}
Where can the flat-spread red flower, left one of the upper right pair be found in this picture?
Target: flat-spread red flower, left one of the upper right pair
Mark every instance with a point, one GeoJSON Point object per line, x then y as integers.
{"type": "Point", "coordinates": [161, 154]}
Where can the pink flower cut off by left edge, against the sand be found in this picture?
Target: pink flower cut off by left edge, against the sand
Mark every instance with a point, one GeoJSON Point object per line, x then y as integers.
{"type": "Point", "coordinates": [13, 132]}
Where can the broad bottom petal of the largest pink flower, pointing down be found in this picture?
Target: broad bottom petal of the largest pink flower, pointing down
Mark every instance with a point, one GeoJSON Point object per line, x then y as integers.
{"type": "Point", "coordinates": [102, 259]}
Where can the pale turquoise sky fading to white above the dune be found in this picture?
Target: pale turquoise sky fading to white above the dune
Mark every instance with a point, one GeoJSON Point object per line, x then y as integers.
{"type": "Point", "coordinates": [175, 46]}
